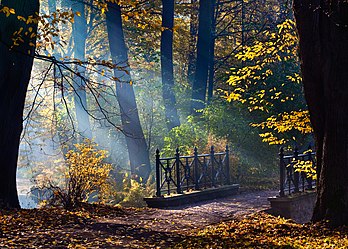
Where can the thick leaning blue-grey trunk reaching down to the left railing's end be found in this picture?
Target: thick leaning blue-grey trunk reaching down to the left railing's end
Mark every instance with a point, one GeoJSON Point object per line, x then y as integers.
{"type": "Point", "coordinates": [137, 149]}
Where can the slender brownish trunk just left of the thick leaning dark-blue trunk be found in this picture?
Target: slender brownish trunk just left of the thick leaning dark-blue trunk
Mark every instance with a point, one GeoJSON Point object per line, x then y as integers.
{"type": "Point", "coordinates": [192, 43]}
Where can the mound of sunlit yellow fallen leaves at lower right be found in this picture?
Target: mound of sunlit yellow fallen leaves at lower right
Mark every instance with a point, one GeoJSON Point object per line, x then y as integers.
{"type": "Point", "coordinates": [261, 230]}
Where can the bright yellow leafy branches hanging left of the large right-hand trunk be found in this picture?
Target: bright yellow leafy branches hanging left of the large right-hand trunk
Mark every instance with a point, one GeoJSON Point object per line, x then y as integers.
{"type": "Point", "coordinates": [269, 81]}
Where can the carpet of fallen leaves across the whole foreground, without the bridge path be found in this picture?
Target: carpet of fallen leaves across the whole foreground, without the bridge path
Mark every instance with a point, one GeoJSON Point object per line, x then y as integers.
{"type": "Point", "coordinates": [94, 226]}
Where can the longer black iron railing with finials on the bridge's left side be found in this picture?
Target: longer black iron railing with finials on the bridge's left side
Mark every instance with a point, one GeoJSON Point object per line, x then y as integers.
{"type": "Point", "coordinates": [183, 173]}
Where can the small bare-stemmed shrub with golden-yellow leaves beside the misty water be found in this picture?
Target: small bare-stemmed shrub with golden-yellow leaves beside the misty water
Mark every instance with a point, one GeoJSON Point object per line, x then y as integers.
{"type": "Point", "coordinates": [86, 178]}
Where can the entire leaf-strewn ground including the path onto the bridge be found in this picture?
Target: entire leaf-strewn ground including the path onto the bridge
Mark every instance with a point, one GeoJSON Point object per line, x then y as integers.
{"type": "Point", "coordinates": [232, 222]}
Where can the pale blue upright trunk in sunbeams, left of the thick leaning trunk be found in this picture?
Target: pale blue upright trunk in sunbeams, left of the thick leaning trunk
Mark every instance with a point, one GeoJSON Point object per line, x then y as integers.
{"type": "Point", "coordinates": [79, 84]}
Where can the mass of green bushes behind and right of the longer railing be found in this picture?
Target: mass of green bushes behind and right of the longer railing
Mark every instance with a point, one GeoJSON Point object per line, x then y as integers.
{"type": "Point", "coordinates": [224, 124]}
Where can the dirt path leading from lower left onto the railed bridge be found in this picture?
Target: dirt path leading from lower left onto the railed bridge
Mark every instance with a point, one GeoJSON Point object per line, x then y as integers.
{"type": "Point", "coordinates": [145, 227]}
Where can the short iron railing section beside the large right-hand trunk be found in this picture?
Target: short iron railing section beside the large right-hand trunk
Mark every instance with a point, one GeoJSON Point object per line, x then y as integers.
{"type": "Point", "coordinates": [293, 178]}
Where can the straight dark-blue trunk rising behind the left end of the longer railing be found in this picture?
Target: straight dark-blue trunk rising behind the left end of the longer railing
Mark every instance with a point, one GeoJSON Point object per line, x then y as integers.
{"type": "Point", "coordinates": [167, 67]}
